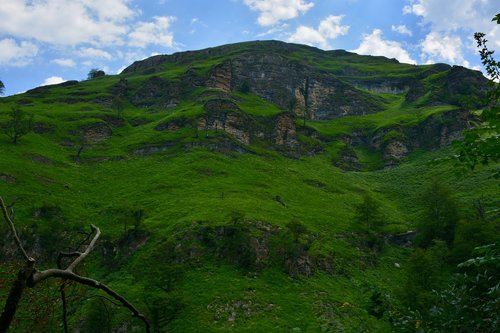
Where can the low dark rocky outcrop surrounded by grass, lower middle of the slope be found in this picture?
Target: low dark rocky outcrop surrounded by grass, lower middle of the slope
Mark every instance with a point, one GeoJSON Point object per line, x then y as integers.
{"type": "Point", "coordinates": [249, 245]}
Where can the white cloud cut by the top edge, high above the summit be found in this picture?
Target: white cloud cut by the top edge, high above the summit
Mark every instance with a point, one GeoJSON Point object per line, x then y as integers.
{"type": "Point", "coordinates": [272, 12]}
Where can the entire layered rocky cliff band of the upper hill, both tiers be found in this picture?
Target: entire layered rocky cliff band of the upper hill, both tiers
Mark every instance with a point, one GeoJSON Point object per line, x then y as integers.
{"type": "Point", "coordinates": [307, 84]}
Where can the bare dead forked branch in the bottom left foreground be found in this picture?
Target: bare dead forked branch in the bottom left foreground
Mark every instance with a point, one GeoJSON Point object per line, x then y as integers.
{"type": "Point", "coordinates": [30, 276]}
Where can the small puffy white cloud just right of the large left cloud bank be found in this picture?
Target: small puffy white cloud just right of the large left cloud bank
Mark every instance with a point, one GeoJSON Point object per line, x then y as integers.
{"type": "Point", "coordinates": [156, 32]}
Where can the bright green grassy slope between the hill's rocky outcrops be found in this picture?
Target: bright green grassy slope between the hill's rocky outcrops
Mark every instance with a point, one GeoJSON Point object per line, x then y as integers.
{"type": "Point", "coordinates": [176, 187]}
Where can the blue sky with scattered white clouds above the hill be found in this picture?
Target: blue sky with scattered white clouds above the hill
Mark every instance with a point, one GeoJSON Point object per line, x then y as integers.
{"type": "Point", "coordinates": [51, 41]}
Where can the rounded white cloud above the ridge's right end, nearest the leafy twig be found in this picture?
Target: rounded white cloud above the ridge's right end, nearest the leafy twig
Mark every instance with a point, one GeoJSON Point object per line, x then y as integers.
{"type": "Point", "coordinates": [440, 47]}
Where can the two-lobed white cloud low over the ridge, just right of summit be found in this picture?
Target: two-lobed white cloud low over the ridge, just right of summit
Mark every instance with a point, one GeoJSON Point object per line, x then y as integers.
{"type": "Point", "coordinates": [328, 29]}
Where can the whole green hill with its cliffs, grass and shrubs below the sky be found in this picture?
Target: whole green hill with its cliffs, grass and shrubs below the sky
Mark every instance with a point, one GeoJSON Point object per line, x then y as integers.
{"type": "Point", "coordinates": [254, 187]}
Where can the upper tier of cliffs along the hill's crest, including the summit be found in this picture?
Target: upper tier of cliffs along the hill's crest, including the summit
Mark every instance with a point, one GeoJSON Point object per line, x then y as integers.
{"type": "Point", "coordinates": [323, 84]}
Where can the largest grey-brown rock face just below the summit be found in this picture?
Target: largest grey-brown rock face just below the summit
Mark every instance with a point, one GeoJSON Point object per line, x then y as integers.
{"type": "Point", "coordinates": [293, 86]}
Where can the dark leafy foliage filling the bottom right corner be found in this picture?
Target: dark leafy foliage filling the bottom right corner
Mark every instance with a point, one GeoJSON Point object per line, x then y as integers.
{"type": "Point", "coordinates": [470, 303]}
